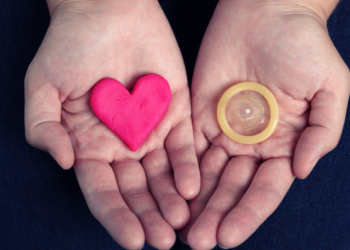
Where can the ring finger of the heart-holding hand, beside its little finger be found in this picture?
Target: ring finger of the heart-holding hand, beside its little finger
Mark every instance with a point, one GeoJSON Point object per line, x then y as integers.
{"type": "Point", "coordinates": [161, 183]}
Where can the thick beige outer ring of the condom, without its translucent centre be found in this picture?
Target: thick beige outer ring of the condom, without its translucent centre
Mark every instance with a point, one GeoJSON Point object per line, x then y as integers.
{"type": "Point", "coordinates": [271, 101]}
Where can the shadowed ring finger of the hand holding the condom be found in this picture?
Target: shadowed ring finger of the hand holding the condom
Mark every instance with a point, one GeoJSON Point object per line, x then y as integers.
{"type": "Point", "coordinates": [211, 167]}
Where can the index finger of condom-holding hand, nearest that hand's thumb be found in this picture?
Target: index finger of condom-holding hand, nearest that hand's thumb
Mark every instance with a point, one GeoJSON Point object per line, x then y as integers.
{"type": "Point", "coordinates": [270, 184]}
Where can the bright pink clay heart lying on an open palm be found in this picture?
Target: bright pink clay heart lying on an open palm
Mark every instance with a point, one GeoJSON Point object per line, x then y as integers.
{"type": "Point", "coordinates": [131, 116]}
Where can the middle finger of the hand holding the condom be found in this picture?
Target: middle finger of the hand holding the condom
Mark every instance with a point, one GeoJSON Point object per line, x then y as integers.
{"type": "Point", "coordinates": [234, 182]}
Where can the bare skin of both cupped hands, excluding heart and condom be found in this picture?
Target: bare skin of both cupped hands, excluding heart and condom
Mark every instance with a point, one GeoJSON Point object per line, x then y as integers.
{"type": "Point", "coordinates": [118, 184]}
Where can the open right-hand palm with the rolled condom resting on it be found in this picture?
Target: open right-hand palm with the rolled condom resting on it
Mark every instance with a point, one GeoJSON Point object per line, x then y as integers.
{"type": "Point", "coordinates": [285, 47]}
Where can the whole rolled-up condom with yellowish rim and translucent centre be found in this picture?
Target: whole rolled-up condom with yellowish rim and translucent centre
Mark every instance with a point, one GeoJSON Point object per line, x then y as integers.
{"type": "Point", "coordinates": [248, 113]}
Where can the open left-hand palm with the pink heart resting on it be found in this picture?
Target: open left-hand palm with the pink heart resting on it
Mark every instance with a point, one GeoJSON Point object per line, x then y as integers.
{"type": "Point", "coordinates": [132, 194]}
